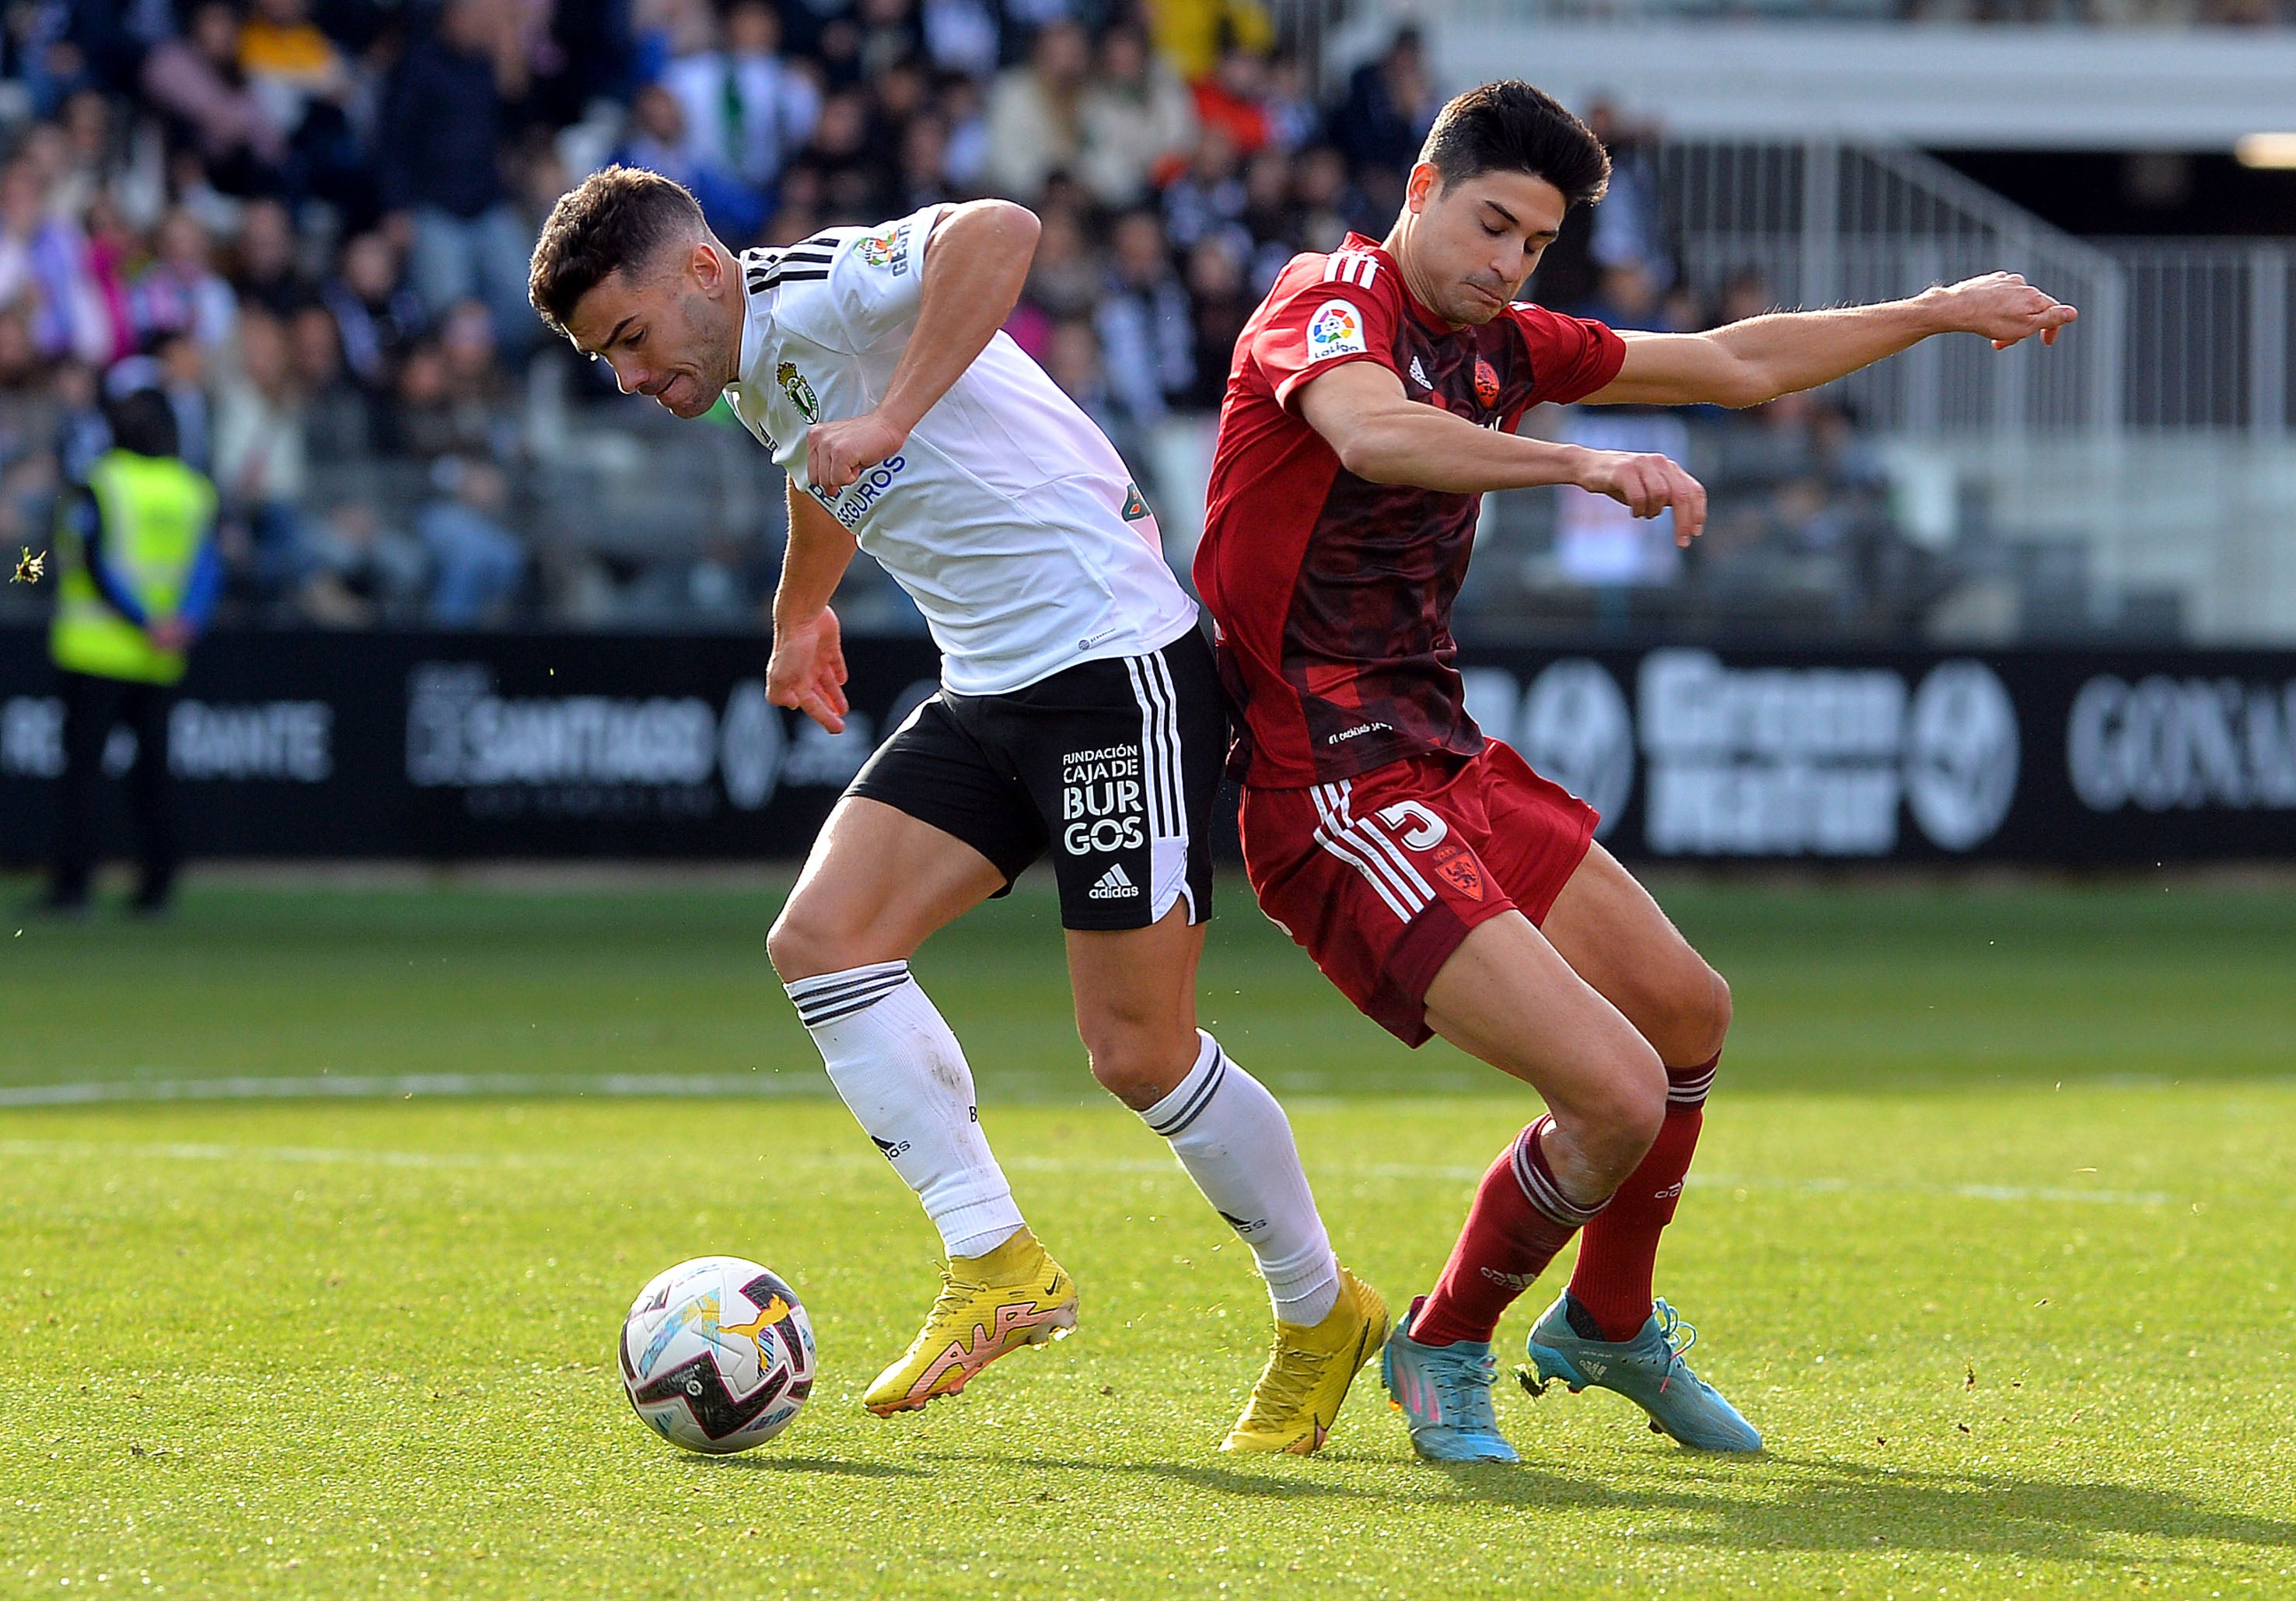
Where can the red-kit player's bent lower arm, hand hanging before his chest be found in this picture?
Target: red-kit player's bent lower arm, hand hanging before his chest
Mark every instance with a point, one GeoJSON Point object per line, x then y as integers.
{"type": "Point", "coordinates": [1388, 438]}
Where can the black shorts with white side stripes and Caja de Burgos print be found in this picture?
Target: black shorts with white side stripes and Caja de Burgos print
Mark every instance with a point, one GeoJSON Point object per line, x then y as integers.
{"type": "Point", "coordinates": [1110, 766]}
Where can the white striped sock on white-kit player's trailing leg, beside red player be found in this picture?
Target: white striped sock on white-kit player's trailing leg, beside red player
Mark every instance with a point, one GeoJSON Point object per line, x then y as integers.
{"type": "Point", "coordinates": [1236, 1143]}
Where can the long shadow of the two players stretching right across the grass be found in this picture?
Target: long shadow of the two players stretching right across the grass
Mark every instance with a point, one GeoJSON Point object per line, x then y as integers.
{"type": "Point", "coordinates": [1781, 1503]}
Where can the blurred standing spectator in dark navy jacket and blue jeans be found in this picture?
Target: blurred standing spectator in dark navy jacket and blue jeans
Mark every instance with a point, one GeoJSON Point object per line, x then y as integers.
{"type": "Point", "coordinates": [440, 167]}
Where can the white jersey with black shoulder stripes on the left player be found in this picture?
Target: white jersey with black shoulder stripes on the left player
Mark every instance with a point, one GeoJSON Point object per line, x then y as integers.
{"type": "Point", "coordinates": [1007, 516]}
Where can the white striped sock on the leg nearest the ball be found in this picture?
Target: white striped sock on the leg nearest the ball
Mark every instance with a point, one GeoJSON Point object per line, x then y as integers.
{"type": "Point", "coordinates": [903, 1076]}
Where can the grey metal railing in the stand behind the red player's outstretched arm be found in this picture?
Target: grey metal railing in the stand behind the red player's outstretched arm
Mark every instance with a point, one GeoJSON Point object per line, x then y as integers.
{"type": "Point", "coordinates": [2175, 334]}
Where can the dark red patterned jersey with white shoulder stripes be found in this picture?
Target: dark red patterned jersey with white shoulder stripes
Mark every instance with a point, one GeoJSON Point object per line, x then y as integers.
{"type": "Point", "coordinates": [1333, 594]}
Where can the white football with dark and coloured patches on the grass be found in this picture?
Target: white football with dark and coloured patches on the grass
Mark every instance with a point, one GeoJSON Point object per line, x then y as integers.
{"type": "Point", "coordinates": [717, 1356]}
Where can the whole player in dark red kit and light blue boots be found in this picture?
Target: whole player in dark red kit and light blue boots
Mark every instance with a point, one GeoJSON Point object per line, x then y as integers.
{"type": "Point", "coordinates": [1438, 881]}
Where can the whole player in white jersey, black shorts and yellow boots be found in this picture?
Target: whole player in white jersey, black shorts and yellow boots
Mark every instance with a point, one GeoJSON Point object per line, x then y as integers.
{"type": "Point", "coordinates": [1080, 716]}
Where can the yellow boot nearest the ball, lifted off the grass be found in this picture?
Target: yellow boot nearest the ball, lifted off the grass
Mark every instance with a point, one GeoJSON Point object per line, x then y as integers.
{"type": "Point", "coordinates": [988, 1306]}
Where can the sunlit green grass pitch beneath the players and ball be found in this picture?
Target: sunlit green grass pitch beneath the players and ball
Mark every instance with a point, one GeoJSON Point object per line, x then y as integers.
{"type": "Point", "coordinates": [1989, 1235]}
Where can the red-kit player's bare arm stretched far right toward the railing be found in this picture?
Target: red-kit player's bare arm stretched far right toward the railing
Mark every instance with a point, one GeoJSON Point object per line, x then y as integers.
{"type": "Point", "coordinates": [1760, 359]}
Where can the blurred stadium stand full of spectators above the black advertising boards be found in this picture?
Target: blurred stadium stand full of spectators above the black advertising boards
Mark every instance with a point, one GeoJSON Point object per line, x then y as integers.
{"type": "Point", "coordinates": [309, 219]}
